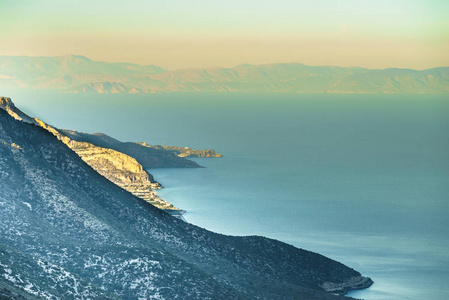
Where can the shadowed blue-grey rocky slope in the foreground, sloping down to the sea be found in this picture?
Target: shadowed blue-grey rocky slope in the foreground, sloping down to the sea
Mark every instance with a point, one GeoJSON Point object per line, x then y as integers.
{"type": "Point", "coordinates": [67, 232]}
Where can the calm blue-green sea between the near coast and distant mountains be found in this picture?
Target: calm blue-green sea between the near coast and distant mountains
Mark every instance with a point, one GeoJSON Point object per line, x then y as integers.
{"type": "Point", "coordinates": [363, 179]}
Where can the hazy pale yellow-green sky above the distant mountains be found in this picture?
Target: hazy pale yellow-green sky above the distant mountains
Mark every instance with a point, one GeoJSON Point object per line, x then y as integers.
{"type": "Point", "coordinates": [179, 34]}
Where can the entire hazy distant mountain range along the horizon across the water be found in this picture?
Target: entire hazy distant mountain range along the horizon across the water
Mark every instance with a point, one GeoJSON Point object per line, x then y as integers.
{"type": "Point", "coordinates": [79, 74]}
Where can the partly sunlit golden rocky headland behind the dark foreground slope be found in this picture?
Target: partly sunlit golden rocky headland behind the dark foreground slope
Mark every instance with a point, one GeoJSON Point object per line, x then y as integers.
{"type": "Point", "coordinates": [124, 164]}
